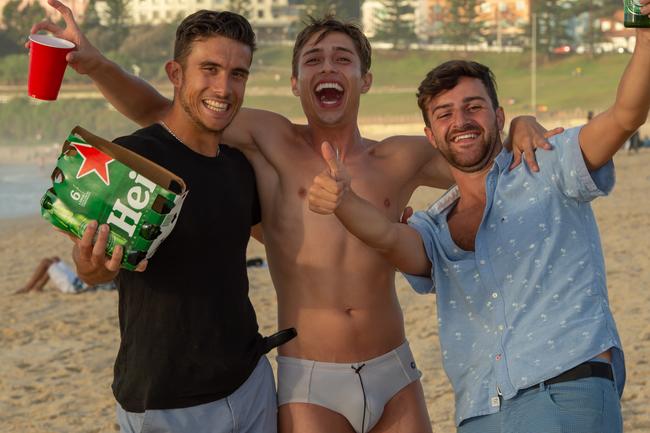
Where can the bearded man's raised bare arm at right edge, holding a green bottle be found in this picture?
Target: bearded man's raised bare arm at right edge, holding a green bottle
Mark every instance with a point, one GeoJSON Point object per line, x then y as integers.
{"type": "Point", "coordinates": [604, 135]}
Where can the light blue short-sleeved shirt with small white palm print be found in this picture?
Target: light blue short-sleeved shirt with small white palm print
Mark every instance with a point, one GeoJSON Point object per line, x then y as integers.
{"type": "Point", "coordinates": [531, 301]}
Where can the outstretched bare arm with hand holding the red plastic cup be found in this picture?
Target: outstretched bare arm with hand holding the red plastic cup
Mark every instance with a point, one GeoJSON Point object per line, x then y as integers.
{"type": "Point", "coordinates": [130, 95]}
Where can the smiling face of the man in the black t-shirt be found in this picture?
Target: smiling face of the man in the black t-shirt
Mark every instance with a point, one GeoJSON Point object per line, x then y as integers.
{"type": "Point", "coordinates": [210, 83]}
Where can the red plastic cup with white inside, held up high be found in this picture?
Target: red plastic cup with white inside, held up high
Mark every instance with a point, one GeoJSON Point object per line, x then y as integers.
{"type": "Point", "coordinates": [46, 66]}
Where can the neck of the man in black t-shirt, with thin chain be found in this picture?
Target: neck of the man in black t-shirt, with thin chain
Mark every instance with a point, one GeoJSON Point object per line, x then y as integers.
{"type": "Point", "coordinates": [190, 134]}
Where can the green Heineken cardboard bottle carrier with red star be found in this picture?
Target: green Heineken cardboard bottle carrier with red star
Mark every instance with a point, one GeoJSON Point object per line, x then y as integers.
{"type": "Point", "coordinates": [95, 179]}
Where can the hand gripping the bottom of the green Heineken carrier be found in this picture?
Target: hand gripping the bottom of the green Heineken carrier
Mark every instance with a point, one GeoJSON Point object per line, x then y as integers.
{"type": "Point", "coordinates": [93, 265]}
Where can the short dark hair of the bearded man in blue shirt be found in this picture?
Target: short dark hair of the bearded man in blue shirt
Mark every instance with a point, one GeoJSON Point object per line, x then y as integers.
{"type": "Point", "coordinates": [445, 77]}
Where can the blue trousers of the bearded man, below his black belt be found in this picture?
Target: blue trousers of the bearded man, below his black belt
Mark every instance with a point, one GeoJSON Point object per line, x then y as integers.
{"type": "Point", "coordinates": [589, 405]}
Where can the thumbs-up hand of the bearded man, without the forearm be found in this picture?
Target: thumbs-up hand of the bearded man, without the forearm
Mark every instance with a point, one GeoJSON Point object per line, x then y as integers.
{"type": "Point", "coordinates": [331, 185]}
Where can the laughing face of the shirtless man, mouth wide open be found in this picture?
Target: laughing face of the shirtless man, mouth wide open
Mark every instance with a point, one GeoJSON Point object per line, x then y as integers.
{"type": "Point", "coordinates": [329, 81]}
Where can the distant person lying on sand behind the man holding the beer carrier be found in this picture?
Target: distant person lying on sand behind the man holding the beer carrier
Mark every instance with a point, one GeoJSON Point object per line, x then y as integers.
{"type": "Point", "coordinates": [63, 277]}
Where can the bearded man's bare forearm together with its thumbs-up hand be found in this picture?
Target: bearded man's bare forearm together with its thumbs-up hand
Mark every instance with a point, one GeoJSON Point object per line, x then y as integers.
{"type": "Point", "coordinates": [399, 243]}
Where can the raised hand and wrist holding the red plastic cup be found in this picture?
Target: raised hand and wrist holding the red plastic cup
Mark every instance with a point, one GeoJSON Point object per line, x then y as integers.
{"type": "Point", "coordinates": [85, 58]}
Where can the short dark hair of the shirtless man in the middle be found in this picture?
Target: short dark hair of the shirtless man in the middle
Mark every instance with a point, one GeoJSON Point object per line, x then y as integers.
{"type": "Point", "coordinates": [325, 26]}
